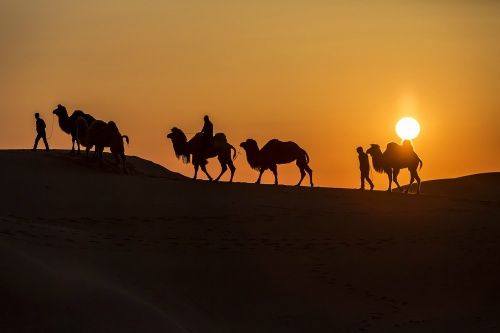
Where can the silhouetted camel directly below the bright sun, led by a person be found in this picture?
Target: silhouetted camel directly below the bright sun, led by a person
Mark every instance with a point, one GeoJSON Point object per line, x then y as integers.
{"type": "Point", "coordinates": [394, 158]}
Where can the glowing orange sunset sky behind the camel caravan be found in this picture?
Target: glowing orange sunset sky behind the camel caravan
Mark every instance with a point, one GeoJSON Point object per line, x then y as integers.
{"type": "Point", "coordinates": [330, 75]}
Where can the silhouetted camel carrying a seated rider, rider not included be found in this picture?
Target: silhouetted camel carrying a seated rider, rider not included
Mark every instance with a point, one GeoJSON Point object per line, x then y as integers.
{"type": "Point", "coordinates": [220, 148]}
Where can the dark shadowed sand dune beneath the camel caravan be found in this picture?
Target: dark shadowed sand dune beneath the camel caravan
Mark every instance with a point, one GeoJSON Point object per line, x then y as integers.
{"type": "Point", "coordinates": [90, 250]}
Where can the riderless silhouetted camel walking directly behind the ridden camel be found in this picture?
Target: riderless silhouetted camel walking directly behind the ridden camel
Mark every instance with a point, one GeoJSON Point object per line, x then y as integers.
{"type": "Point", "coordinates": [276, 152]}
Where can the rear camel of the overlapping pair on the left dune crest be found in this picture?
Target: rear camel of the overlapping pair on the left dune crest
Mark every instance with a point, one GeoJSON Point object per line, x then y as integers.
{"type": "Point", "coordinates": [101, 135]}
